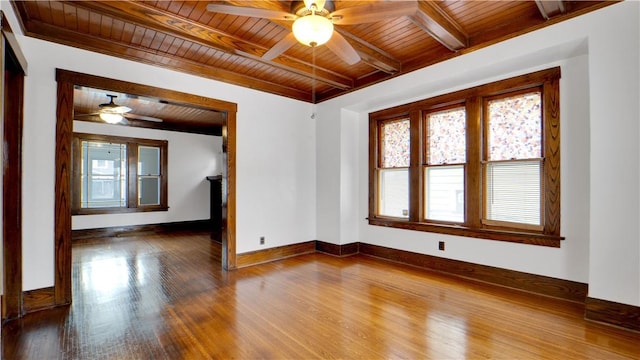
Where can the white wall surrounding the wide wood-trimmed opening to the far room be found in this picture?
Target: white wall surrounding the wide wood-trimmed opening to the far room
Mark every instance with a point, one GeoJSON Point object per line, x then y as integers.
{"type": "Point", "coordinates": [275, 152]}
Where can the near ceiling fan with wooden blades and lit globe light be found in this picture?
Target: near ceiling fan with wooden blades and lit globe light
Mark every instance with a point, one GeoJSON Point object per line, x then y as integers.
{"type": "Point", "coordinates": [313, 22]}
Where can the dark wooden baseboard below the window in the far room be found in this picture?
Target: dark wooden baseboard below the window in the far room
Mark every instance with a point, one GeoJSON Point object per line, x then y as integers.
{"type": "Point", "coordinates": [134, 230]}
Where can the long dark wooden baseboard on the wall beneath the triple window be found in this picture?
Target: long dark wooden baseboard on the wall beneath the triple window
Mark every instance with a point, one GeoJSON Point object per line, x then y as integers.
{"type": "Point", "coordinates": [542, 285]}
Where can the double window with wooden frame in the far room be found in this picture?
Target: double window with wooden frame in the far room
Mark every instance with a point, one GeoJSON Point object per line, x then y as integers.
{"type": "Point", "coordinates": [116, 174]}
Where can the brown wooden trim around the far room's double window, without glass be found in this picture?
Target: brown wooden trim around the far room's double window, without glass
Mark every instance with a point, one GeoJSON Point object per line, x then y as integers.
{"type": "Point", "coordinates": [132, 178]}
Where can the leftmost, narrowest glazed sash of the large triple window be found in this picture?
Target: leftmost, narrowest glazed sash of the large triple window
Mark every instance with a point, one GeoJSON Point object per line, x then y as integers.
{"type": "Point", "coordinates": [393, 170]}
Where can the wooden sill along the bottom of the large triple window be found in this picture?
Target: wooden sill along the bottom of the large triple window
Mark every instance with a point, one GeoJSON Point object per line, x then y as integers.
{"type": "Point", "coordinates": [489, 234]}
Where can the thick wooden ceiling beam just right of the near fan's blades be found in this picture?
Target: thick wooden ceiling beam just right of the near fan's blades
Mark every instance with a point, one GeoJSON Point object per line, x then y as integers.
{"type": "Point", "coordinates": [437, 23]}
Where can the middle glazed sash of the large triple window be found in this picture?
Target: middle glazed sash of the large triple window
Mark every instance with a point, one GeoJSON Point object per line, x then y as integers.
{"type": "Point", "coordinates": [445, 145]}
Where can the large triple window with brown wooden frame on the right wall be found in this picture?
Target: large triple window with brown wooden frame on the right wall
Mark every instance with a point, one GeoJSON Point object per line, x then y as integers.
{"type": "Point", "coordinates": [482, 162]}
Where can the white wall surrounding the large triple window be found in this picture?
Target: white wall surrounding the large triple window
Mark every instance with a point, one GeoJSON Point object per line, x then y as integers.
{"type": "Point", "coordinates": [599, 121]}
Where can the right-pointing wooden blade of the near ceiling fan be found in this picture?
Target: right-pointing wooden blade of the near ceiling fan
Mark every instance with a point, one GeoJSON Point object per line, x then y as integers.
{"type": "Point", "coordinates": [373, 12]}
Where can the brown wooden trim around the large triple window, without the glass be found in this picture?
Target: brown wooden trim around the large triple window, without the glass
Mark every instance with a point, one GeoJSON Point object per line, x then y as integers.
{"type": "Point", "coordinates": [473, 100]}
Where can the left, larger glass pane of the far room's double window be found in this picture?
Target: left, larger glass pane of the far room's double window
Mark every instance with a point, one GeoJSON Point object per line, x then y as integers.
{"type": "Point", "coordinates": [103, 174]}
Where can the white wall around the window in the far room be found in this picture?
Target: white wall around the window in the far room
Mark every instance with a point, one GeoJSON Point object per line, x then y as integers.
{"type": "Point", "coordinates": [191, 158]}
